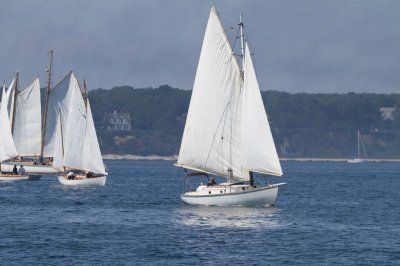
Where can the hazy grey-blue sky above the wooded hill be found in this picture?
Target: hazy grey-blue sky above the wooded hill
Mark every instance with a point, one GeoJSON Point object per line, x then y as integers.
{"type": "Point", "coordinates": [299, 46]}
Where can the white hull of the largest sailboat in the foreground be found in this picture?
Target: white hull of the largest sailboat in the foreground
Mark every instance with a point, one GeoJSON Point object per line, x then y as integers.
{"type": "Point", "coordinates": [237, 196]}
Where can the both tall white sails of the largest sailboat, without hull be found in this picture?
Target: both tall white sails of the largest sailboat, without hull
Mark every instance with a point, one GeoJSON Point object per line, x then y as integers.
{"type": "Point", "coordinates": [226, 126]}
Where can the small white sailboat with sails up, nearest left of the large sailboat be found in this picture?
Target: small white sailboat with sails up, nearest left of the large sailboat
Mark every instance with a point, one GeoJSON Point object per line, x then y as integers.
{"type": "Point", "coordinates": [76, 146]}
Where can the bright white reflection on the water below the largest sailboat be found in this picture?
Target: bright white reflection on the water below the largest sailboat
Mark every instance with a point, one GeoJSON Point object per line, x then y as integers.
{"type": "Point", "coordinates": [235, 217]}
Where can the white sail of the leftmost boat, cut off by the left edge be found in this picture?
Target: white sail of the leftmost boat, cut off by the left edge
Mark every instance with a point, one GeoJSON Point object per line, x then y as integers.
{"type": "Point", "coordinates": [7, 147]}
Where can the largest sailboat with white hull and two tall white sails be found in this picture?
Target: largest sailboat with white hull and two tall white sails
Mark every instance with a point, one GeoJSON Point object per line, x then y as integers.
{"type": "Point", "coordinates": [227, 133]}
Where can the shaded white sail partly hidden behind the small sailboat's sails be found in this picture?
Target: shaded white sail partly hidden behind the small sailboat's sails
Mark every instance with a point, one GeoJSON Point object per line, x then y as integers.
{"type": "Point", "coordinates": [59, 101]}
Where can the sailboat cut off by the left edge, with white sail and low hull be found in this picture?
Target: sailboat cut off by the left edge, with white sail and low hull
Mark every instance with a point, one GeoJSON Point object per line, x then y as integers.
{"type": "Point", "coordinates": [7, 146]}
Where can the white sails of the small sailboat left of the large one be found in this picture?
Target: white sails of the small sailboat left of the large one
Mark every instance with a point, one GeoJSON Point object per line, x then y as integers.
{"type": "Point", "coordinates": [75, 144]}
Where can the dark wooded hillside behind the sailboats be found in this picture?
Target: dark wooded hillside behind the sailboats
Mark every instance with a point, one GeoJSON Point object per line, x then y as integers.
{"type": "Point", "coordinates": [303, 125]}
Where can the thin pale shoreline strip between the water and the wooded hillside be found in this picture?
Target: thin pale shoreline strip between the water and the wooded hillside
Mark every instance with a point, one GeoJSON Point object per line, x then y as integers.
{"type": "Point", "coordinates": [175, 157]}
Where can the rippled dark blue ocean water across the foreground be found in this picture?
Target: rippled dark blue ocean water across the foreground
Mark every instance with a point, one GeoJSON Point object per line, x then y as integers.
{"type": "Point", "coordinates": [329, 214]}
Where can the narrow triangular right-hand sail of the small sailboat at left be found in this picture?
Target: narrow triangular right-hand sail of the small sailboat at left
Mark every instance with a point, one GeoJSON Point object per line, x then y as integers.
{"type": "Point", "coordinates": [92, 160]}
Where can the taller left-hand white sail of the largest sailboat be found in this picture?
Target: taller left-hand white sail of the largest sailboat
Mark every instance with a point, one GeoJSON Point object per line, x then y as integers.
{"type": "Point", "coordinates": [211, 135]}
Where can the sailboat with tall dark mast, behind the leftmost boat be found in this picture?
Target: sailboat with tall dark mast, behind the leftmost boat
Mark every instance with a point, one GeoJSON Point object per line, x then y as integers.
{"type": "Point", "coordinates": [27, 130]}
